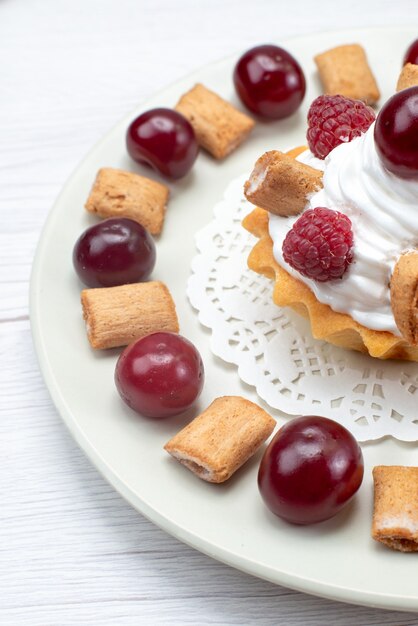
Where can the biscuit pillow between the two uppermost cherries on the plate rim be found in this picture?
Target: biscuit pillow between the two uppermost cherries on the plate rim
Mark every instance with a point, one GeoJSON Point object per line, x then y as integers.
{"type": "Point", "coordinates": [219, 126]}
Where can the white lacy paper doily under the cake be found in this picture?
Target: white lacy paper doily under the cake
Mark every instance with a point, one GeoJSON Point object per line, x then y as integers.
{"type": "Point", "coordinates": [274, 349]}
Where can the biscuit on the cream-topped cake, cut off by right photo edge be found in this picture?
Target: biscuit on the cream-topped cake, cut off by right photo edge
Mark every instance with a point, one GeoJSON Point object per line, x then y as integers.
{"type": "Point", "coordinates": [404, 296]}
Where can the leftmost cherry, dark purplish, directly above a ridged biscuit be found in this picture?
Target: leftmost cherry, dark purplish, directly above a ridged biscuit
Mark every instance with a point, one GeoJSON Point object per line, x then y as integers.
{"type": "Point", "coordinates": [117, 251]}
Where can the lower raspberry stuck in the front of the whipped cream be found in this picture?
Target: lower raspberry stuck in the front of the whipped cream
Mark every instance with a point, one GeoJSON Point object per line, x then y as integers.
{"type": "Point", "coordinates": [319, 245]}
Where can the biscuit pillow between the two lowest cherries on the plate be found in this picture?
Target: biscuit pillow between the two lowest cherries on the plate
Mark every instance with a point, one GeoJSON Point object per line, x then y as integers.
{"type": "Point", "coordinates": [222, 438]}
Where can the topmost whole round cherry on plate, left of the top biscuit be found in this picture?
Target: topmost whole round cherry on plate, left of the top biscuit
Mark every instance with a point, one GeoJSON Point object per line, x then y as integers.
{"type": "Point", "coordinates": [269, 81]}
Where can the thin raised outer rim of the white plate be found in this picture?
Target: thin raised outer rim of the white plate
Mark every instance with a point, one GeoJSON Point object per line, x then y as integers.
{"type": "Point", "coordinates": [222, 554]}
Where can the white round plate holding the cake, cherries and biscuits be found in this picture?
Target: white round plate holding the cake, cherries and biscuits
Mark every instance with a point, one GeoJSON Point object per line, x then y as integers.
{"type": "Point", "coordinates": [336, 559]}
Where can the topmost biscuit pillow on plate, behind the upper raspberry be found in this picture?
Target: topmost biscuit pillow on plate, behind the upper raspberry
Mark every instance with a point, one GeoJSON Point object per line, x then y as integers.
{"type": "Point", "coordinates": [344, 70]}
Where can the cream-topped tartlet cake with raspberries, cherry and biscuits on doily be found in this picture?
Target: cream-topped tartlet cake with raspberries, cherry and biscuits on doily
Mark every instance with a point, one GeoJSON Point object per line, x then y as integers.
{"type": "Point", "coordinates": [372, 306]}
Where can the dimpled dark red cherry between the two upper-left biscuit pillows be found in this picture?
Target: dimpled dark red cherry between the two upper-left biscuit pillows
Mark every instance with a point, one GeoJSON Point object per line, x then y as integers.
{"type": "Point", "coordinates": [164, 140]}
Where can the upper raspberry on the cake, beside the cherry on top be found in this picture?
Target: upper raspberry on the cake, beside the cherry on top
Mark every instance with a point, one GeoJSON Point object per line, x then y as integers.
{"type": "Point", "coordinates": [335, 119]}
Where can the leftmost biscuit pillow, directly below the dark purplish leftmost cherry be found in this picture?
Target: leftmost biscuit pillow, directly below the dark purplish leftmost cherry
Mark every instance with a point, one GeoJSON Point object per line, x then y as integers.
{"type": "Point", "coordinates": [116, 316]}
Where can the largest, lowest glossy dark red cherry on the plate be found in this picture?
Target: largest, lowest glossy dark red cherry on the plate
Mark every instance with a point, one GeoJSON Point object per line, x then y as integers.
{"type": "Point", "coordinates": [311, 469]}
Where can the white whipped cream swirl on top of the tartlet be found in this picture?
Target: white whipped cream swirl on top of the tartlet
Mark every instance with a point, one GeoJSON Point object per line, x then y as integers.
{"type": "Point", "coordinates": [383, 210]}
